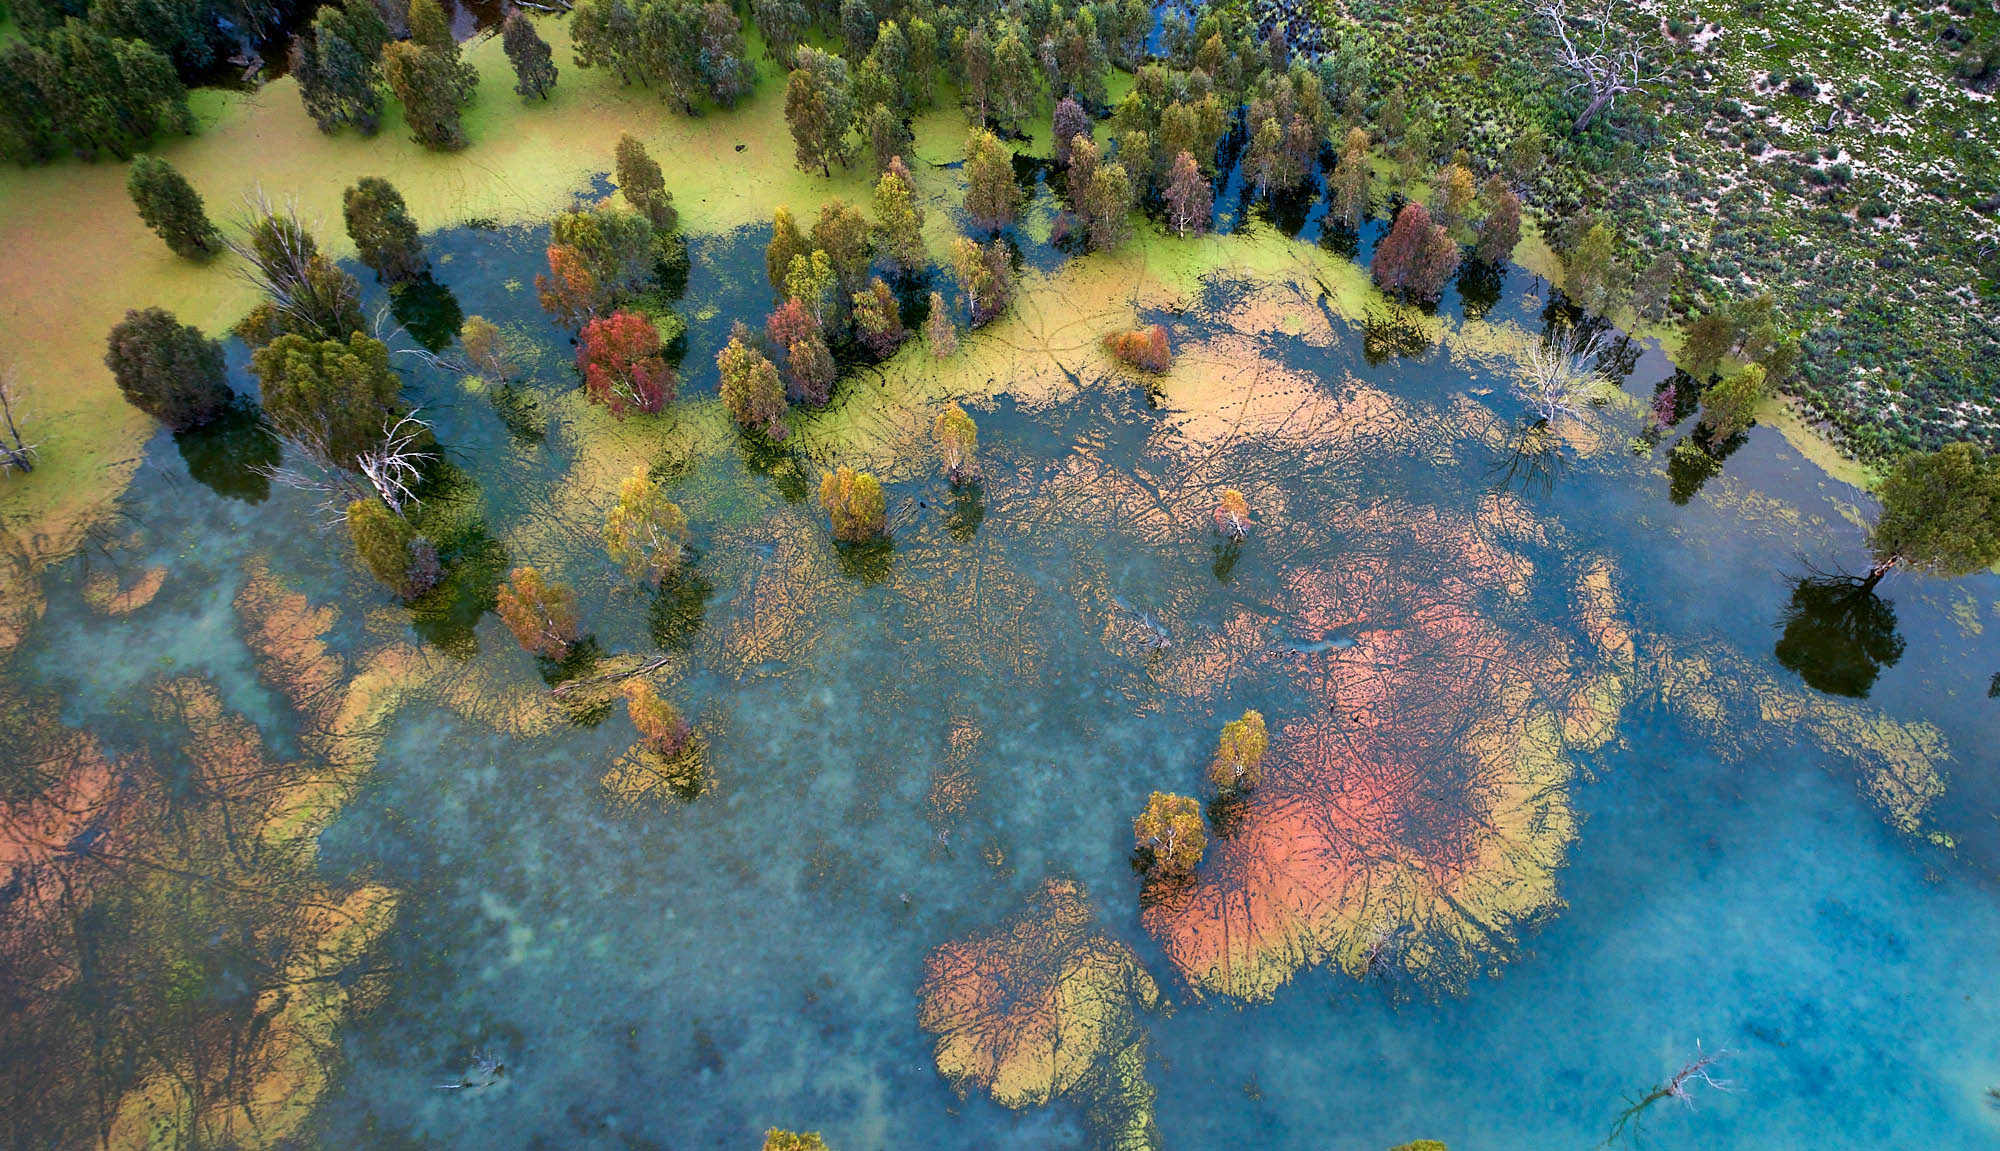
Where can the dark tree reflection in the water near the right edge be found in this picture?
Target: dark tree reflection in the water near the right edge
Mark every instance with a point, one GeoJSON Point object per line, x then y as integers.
{"type": "Point", "coordinates": [1839, 634]}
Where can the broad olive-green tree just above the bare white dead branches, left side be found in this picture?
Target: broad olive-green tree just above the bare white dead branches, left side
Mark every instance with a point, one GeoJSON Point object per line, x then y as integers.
{"type": "Point", "coordinates": [333, 397]}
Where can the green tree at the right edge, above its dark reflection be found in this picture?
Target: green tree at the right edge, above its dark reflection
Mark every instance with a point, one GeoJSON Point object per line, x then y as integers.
{"type": "Point", "coordinates": [1941, 515]}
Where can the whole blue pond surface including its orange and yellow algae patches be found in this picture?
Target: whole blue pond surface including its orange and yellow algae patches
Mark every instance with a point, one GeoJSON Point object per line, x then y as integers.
{"type": "Point", "coordinates": [1545, 816]}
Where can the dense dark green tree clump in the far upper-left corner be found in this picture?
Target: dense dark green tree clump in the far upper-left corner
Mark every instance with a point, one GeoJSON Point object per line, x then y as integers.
{"type": "Point", "coordinates": [85, 93]}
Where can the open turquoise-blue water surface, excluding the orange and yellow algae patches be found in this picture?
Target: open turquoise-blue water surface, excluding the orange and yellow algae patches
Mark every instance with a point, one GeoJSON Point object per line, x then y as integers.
{"type": "Point", "coordinates": [689, 976]}
